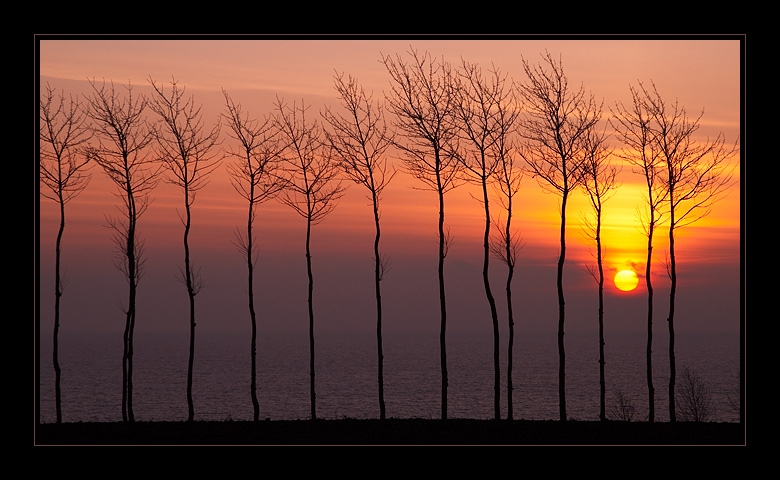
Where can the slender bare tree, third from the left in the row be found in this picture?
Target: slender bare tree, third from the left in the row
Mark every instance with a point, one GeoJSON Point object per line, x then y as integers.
{"type": "Point", "coordinates": [185, 148]}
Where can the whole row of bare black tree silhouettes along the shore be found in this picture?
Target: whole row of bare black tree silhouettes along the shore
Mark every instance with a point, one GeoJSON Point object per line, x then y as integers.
{"type": "Point", "coordinates": [448, 125]}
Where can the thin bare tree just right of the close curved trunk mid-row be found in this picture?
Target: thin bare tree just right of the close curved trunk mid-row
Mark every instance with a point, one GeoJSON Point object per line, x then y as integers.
{"type": "Point", "coordinates": [505, 243]}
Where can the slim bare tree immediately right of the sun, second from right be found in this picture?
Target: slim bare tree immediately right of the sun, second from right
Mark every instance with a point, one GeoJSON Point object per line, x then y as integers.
{"type": "Point", "coordinates": [633, 124]}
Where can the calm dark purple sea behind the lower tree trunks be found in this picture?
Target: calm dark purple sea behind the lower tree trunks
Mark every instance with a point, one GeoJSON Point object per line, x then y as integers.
{"type": "Point", "coordinates": [346, 383]}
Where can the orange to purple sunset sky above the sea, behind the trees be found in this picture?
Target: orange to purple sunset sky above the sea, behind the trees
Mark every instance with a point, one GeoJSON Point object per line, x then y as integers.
{"type": "Point", "coordinates": [699, 73]}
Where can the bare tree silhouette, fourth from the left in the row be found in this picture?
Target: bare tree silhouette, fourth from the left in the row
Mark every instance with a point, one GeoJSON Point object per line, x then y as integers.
{"type": "Point", "coordinates": [256, 177]}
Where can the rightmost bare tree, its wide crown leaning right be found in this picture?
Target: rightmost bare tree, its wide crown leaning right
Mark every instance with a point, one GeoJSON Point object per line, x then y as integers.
{"type": "Point", "coordinates": [697, 174]}
